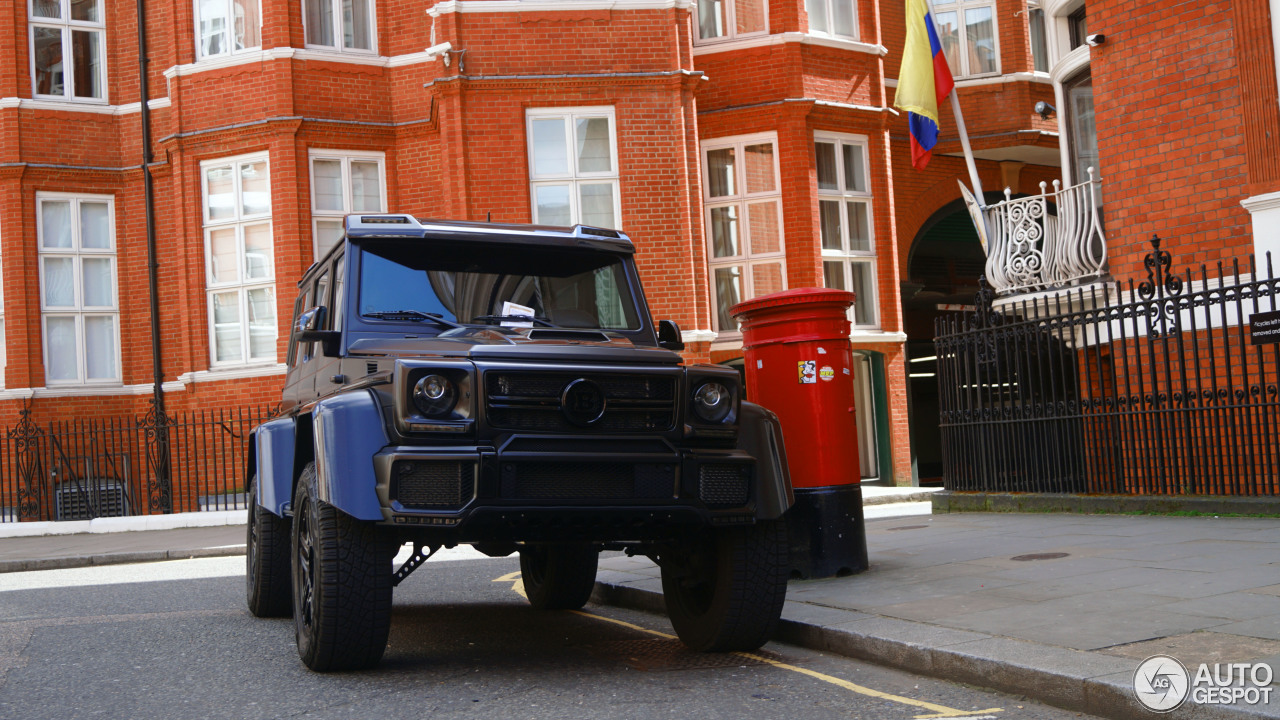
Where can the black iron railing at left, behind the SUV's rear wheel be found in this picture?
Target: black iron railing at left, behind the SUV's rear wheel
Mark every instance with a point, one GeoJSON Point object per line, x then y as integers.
{"type": "Point", "coordinates": [141, 466]}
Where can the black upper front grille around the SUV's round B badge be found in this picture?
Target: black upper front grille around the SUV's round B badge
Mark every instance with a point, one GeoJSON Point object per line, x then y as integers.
{"type": "Point", "coordinates": [531, 402]}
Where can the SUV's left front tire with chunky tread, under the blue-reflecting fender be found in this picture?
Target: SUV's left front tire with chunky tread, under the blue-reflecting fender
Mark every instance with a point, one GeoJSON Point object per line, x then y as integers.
{"type": "Point", "coordinates": [342, 585]}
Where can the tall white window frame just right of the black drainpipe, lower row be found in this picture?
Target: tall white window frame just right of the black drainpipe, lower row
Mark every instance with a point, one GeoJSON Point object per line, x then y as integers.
{"type": "Point", "coordinates": [243, 286]}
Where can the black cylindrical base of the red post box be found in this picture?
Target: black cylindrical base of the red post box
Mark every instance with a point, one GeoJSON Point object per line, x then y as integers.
{"type": "Point", "coordinates": [828, 532]}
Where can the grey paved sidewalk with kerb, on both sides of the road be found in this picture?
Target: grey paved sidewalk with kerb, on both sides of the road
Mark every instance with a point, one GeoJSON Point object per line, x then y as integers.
{"type": "Point", "coordinates": [1059, 608]}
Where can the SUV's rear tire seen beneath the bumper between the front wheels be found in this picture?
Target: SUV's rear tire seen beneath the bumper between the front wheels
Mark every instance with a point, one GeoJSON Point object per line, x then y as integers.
{"type": "Point", "coordinates": [559, 577]}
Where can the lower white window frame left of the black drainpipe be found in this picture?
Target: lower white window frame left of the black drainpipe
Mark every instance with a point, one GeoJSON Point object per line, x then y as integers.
{"type": "Point", "coordinates": [79, 311]}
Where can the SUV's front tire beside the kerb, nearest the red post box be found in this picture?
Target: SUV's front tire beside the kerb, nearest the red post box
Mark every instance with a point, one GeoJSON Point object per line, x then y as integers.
{"type": "Point", "coordinates": [725, 591]}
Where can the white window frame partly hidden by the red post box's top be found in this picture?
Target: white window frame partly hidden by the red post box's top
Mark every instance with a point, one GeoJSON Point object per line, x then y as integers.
{"type": "Point", "coordinates": [746, 259]}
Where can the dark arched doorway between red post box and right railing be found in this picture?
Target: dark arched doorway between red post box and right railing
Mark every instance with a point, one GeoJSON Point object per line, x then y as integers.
{"type": "Point", "coordinates": [943, 271]}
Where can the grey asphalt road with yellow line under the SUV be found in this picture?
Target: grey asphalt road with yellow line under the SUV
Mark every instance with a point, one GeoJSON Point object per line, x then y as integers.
{"type": "Point", "coordinates": [175, 641]}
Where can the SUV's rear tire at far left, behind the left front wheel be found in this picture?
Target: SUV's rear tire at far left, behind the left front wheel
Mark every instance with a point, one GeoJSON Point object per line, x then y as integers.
{"type": "Point", "coordinates": [267, 560]}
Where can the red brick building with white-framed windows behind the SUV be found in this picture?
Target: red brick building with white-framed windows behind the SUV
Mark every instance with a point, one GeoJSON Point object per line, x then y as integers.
{"type": "Point", "coordinates": [746, 145]}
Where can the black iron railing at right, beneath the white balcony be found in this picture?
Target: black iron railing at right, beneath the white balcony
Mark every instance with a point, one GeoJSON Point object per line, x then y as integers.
{"type": "Point", "coordinates": [1149, 389]}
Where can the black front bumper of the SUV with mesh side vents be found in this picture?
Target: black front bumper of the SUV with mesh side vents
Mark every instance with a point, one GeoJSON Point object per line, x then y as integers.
{"type": "Point", "coordinates": [548, 489]}
